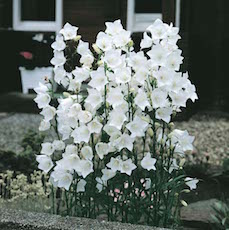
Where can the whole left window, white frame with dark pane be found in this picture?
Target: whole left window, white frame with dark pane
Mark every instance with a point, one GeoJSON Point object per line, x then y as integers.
{"type": "Point", "coordinates": [37, 15]}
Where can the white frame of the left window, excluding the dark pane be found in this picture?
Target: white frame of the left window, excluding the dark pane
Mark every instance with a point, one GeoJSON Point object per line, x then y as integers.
{"type": "Point", "coordinates": [49, 26]}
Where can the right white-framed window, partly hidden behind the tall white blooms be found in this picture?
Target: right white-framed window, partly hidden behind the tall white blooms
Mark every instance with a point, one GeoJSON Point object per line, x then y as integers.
{"type": "Point", "coordinates": [141, 13]}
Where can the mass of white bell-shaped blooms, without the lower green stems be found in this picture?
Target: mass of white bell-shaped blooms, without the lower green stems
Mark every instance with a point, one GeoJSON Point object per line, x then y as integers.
{"type": "Point", "coordinates": [130, 98]}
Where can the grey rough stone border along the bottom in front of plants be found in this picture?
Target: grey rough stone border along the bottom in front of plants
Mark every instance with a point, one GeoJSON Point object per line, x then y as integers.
{"type": "Point", "coordinates": [22, 220]}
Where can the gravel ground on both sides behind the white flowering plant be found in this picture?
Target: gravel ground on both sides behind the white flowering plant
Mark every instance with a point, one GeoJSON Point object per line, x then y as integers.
{"type": "Point", "coordinates": [211, 142]}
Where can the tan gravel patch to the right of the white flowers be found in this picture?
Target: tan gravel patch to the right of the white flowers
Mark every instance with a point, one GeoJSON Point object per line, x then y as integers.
{"type": "Point", "coordinates": [211, 138]}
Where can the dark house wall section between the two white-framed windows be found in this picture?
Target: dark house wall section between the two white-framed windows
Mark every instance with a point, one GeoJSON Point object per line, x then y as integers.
{"type": "Point", "coordinates": [90, 15]}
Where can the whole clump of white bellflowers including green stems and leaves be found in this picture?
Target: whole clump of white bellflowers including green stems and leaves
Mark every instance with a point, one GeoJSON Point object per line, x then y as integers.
{"type": "Point", "coordinates": [117, 151]}
